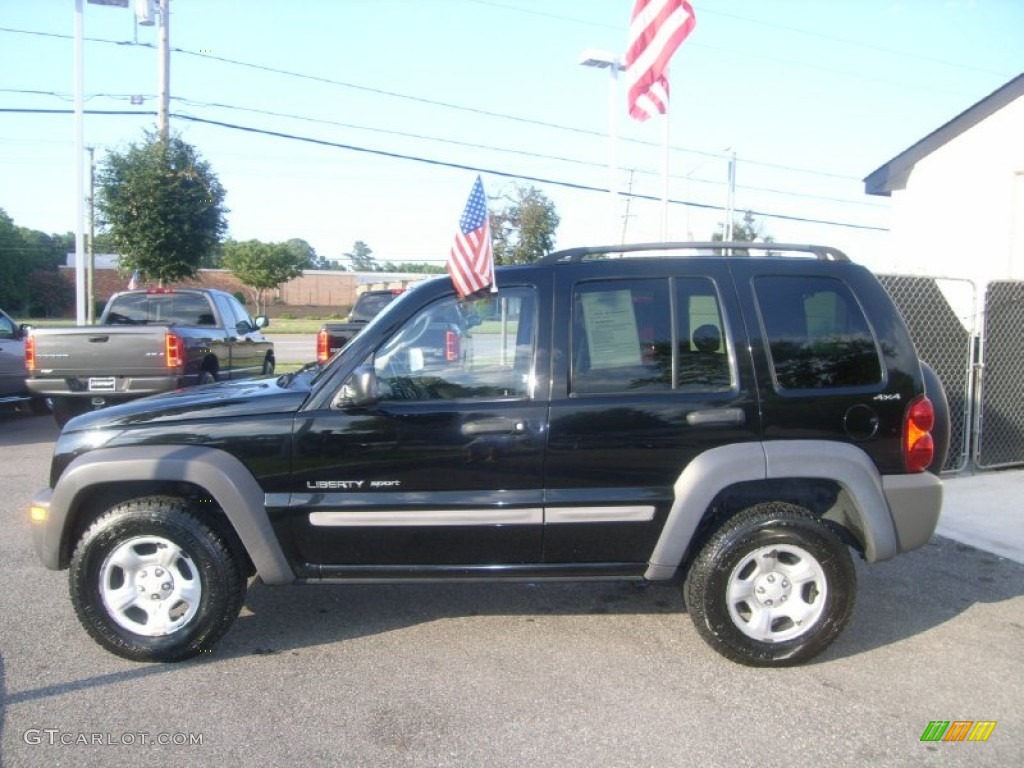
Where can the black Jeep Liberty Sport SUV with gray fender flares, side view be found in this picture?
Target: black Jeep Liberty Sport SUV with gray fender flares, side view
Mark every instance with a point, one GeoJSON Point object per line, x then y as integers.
{"type": "Point", "coordinates": [733, 423]}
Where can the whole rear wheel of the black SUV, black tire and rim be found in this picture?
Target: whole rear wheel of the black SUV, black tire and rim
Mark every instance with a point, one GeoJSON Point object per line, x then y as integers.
{"type": "Point", "coordinates": [805, 576]}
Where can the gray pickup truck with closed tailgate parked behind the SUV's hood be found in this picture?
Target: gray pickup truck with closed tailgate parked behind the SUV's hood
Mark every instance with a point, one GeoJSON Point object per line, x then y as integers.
{"type": "Point", "coordinates": [147, 343]}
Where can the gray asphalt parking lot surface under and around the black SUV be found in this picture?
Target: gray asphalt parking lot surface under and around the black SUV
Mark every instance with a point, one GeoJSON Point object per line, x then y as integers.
{"type": "Point", "coordinates": [506, 675]}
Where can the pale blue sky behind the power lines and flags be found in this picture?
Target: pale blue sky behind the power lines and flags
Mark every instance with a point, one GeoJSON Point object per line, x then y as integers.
{"type": "Point", "coordinates": [810, 97]}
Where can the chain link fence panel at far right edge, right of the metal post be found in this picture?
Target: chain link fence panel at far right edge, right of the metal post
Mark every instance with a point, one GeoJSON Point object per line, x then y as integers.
{"type": "Point", "coordinates": [1001, 424]}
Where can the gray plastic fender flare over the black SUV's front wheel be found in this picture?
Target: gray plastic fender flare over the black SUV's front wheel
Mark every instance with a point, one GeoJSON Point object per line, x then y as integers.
{"type": "Point", "coordinates": [224, 477]}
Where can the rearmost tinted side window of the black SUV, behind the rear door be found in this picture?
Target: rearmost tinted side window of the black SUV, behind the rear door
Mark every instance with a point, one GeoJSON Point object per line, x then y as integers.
{"type": "Point", "coordinates": [819, 337]}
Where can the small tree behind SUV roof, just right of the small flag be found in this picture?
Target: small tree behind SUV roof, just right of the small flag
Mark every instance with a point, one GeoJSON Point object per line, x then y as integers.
{"type": "Point", "coordinates": [525, 230]}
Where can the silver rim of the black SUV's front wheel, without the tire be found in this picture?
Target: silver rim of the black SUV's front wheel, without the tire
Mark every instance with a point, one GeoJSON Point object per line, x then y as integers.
{"type": "Point", "coordinates": [150, 586]}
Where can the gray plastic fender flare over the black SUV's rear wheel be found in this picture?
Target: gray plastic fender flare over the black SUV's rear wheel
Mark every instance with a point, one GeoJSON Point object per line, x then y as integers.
{"type": "Point", "coordinates": [719, 468]}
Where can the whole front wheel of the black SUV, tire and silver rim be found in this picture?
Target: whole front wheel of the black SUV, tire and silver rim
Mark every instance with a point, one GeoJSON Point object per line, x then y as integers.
{"type": "Point", "coordinates": [153, 582]}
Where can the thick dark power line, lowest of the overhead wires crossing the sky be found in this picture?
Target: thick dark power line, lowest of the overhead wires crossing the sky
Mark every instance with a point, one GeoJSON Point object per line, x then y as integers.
{"type": "Point", "coordinates": [444, 164]}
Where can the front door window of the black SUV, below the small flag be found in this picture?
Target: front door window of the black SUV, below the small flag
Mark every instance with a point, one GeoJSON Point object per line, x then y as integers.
{"type": "Point", "coordinates": [452, 350]}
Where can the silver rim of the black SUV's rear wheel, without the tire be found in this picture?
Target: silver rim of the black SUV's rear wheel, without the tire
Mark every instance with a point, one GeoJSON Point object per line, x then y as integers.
{"type": "Point", "coordinates": [777, 593]}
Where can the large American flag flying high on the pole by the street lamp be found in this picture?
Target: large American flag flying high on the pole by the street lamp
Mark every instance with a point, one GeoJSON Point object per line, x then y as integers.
{"type": "Point", "coordinates": [659, 27]}
